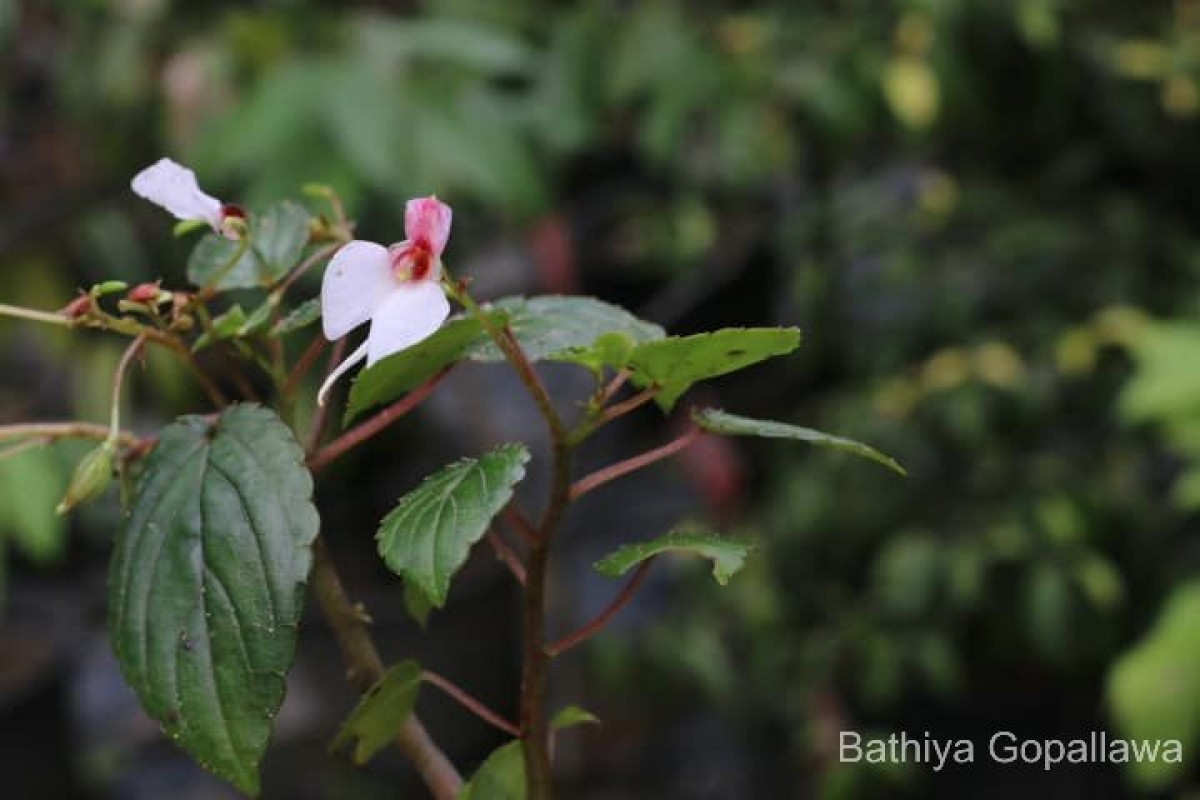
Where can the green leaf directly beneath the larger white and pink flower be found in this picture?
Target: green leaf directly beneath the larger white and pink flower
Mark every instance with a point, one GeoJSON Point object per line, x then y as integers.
{"type": "Point", "coordinates": [401, 372]}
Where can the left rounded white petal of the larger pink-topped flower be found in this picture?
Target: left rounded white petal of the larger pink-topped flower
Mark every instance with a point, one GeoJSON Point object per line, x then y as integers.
{"type": "Point", "coordinates": [357, 281]}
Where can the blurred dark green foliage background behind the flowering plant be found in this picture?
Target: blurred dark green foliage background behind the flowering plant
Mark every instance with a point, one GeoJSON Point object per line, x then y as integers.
{"type": "Point", "coordinates": [982, 214]}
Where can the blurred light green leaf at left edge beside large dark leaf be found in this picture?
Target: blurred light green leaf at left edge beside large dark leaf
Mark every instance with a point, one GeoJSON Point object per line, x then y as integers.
{"type": "Point", "coordinates": [32, 483]}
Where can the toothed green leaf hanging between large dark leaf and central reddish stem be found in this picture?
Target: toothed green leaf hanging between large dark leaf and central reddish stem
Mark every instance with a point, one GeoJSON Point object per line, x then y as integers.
{"type": "Point", "coordinates": [429, 536]}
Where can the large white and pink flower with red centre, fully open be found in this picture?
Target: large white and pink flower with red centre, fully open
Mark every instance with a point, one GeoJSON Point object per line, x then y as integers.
{"type": "Point", "coordinates": [398, 288]}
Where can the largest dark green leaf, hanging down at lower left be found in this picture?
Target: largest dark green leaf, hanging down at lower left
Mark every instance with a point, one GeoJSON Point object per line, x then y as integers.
{"type": "Point", "coordinates": [207, 585]}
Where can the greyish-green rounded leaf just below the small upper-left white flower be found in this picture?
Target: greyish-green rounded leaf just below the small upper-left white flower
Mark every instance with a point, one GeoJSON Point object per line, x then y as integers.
{"type": "Point", "coordinates": [278, 238]}
